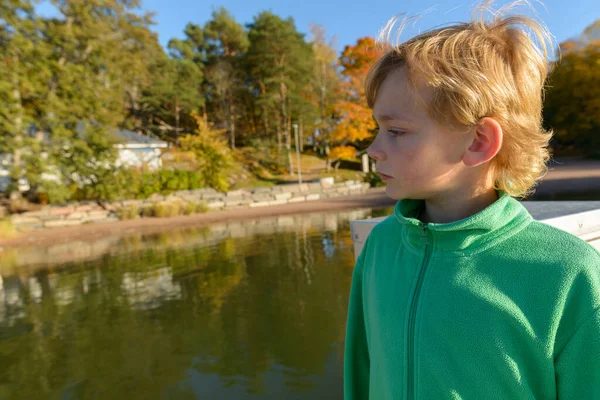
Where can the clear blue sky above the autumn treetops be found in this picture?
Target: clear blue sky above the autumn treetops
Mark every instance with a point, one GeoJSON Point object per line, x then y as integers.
{"type": "Point", "coordinates": [350, 19]}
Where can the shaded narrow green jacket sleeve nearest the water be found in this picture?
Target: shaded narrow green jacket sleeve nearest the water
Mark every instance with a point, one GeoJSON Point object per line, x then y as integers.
{"type": "Point", "coordinates": [356, 351]}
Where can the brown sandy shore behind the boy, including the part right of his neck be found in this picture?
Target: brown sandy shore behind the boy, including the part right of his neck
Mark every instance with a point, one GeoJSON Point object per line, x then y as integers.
{"type": "Point", "coordinates": [564, 177]}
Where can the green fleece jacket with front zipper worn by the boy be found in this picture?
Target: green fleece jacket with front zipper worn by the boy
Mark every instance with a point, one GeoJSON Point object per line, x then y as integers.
{"type": "Point", "coordinates": [494, 306]}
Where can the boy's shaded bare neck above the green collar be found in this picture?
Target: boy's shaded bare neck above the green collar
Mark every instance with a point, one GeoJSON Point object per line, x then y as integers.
{"type": "Point", "coordinates": [456, 206]}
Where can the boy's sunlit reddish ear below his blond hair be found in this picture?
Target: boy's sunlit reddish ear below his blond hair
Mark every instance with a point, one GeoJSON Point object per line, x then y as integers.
{"type": "Point", "coordinates": [487, 142]}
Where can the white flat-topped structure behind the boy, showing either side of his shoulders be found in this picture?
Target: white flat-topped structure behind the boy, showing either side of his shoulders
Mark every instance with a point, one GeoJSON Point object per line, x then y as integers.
{"type": "Point", "coordinates": [580, 218]}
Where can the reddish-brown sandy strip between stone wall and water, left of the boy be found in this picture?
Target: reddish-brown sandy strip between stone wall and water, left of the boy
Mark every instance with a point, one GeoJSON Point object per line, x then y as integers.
{"type": "Point", "coordinates": [374, 198]}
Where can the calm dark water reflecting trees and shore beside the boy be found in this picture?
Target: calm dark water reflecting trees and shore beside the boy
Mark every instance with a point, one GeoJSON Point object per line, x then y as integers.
{"type": "Point", "coordinates": [232, 311]}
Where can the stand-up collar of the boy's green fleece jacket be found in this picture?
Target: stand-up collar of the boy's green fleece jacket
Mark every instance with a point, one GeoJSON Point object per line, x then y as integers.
{"type": "Point", "coordinates": [496, 222]}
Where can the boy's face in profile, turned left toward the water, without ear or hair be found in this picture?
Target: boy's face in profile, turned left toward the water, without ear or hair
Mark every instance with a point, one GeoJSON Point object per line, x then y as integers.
{"type": "Point", "coordinates": [422, 157]}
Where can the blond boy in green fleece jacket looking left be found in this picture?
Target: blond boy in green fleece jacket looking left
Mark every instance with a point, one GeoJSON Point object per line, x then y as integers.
{"type": "Point", "coordinates": [460, 294]}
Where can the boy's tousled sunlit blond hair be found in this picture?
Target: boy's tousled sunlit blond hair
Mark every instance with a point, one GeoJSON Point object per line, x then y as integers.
{"type": "Point", "coordinates": [483, 69]}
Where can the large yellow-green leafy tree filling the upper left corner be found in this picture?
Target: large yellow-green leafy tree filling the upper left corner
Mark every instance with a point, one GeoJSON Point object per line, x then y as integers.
{"type": "Point", "coordinates": [69, 82]}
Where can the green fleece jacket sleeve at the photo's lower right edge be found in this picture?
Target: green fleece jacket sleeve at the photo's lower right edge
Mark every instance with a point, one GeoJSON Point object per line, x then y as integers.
{"type": "Point", "coordinates": [577, 366]}
